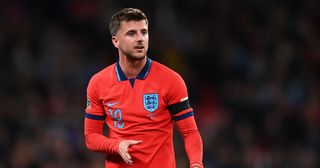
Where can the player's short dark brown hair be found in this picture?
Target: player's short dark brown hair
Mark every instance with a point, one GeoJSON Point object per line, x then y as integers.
{"type": "Point", "coordinates": [125, 14]}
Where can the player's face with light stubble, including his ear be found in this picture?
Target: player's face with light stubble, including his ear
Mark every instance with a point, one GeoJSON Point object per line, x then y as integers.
{"type": "Point", "coordinates": [132, 39]}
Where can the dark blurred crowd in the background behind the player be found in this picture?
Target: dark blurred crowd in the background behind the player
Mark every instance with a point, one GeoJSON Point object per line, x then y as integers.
{"type": "Point", "coordinates": [252, 68]}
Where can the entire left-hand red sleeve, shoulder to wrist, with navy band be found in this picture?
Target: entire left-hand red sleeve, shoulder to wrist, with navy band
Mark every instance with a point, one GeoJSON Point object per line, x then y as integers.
{"type": "Point", "coordinates": [94, 122]}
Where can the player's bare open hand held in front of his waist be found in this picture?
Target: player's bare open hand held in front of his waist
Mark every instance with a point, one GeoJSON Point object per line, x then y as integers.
{"type": "Point", "coordinates": [123, 149]}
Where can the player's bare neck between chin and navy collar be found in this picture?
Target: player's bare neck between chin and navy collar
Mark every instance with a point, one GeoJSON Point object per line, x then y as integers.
{"type": "Point", "coordinates": [131, 67]}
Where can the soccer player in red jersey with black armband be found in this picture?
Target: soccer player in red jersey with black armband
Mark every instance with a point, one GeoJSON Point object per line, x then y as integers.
{"type": "Point", "coordinates": [140, 100]}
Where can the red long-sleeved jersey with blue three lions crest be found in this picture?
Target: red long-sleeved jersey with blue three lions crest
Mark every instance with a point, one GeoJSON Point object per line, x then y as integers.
{"type": "Point", "coordinates": [143, 108]}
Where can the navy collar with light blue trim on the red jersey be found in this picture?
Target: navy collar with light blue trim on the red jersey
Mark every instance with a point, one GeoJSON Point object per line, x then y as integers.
{"type": "Point", "coordinates": [142, 75]}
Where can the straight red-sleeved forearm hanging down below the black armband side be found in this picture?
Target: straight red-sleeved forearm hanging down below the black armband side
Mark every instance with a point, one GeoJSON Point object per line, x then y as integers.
{"type": "Point", "coordinates": [192, 141]}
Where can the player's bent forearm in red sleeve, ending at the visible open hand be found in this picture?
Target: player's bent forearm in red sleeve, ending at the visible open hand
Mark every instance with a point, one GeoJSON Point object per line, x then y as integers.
{"type": "Point", "coordinates": [95, 140]}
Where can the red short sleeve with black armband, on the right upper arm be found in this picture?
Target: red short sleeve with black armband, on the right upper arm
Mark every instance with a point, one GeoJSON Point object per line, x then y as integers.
{"type": "Point", "coordinates": [178, 102]}
